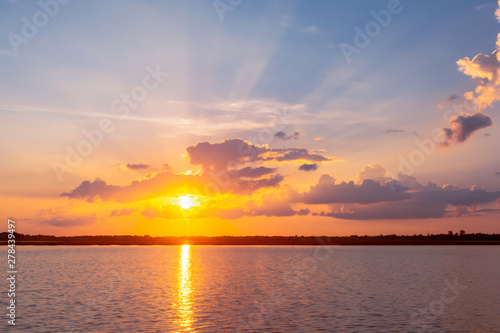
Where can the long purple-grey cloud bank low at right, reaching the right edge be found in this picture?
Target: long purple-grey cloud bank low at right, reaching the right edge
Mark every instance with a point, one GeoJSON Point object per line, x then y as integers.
{"type": "Point", "coordinates": [409, 199]}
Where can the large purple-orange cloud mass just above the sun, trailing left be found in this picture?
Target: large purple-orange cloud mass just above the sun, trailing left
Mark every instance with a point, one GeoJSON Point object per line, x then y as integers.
{"type": "Point", "coordinates": [222, 171]}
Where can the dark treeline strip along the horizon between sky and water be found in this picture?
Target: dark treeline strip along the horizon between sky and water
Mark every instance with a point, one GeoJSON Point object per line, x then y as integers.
{"type": "Point", "coordinates": [450, 238]}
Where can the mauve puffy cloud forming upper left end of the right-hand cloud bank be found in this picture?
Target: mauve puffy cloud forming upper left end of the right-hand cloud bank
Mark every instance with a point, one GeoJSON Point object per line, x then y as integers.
{"type": "Point", "coordinates": [369, 191]}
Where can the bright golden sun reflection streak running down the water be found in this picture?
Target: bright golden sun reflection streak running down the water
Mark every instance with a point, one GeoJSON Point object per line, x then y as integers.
{"type": "Point", "coordinates": [184, 288]}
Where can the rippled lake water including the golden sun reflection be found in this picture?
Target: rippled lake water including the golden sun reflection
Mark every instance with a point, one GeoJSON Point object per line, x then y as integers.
{"type": "Point", "coordinates": [257, 289]}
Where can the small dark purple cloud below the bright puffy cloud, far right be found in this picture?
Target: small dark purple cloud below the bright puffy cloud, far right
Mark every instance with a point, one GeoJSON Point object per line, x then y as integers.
{"type": "Point", "coordinates": [463, 126]}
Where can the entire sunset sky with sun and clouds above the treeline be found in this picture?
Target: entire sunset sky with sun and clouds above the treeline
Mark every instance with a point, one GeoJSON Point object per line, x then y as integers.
{"type": "Point", "coordinates": [238, 117]}
